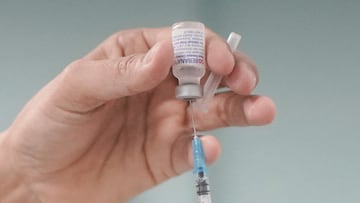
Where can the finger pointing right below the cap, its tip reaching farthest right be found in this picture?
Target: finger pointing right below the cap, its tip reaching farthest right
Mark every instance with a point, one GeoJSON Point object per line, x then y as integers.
{"type": "Point", "coordinates": [231, 109]}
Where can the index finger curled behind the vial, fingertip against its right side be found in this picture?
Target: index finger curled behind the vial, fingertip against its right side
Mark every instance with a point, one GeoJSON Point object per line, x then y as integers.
{"type": "Point", "coordinates": [127, 42]}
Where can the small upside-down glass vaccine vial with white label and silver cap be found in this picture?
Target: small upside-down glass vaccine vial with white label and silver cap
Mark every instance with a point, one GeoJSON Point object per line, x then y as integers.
{"type": "Point", "coordinates": [188, 40]}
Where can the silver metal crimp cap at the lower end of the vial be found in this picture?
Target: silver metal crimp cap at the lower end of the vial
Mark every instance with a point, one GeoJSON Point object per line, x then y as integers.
{"type": "Point", "coordinates": [188, 91]}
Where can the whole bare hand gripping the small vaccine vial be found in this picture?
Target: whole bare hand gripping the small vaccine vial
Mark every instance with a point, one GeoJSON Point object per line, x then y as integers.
{"type": "Point", "coordinates": [109, 126]}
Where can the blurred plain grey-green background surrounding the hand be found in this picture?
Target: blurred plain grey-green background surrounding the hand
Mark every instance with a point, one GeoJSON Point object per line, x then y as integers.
{"type": "Point", "coordinates": [307, 53]}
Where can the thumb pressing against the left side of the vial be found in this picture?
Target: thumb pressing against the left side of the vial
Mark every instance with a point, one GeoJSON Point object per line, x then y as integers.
{"type": "Point", "coordinates": [86, 84]}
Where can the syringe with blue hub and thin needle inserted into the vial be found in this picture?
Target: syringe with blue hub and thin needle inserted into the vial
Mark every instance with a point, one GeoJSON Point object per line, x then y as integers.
{"type": "Point", "coordinates": [200, 169]}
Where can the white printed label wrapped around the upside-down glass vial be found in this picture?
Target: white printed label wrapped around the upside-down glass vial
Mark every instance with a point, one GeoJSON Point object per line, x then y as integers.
{"type": "Point", "coordinates": [188, 46]}
